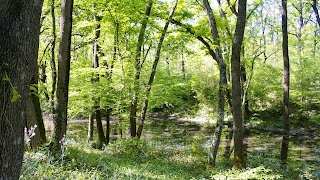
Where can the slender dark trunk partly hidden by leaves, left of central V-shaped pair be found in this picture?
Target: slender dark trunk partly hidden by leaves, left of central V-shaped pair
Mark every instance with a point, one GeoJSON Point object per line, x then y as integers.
{"type": "Point", "coordinates": [96, 78]}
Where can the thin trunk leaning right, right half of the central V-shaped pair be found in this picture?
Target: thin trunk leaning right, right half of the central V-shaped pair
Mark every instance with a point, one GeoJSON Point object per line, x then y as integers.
{"type": "Point", "coordinates": [153, 71]}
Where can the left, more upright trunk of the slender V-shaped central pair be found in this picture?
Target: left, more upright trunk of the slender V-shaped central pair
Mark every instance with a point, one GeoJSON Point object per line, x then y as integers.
{"type": "Point", "coordinates": [137, 69]}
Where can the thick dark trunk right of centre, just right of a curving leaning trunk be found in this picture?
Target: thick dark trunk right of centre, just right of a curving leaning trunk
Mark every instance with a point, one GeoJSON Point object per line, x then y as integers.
{"type": "Point", "coordinates": [238, 126]}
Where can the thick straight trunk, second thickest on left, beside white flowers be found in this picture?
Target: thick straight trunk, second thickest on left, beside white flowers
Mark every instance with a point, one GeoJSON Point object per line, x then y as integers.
{"type": "Point", "coordinates": [60, 119]}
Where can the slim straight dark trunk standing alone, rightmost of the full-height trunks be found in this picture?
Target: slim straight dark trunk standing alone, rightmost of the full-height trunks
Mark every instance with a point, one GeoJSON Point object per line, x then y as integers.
{"type": "Point", "coordinates": [286, 80]}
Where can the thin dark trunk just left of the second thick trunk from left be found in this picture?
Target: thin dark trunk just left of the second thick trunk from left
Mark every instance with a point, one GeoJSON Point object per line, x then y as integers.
{"type": "Point", "coordinates": [53, 57]}
